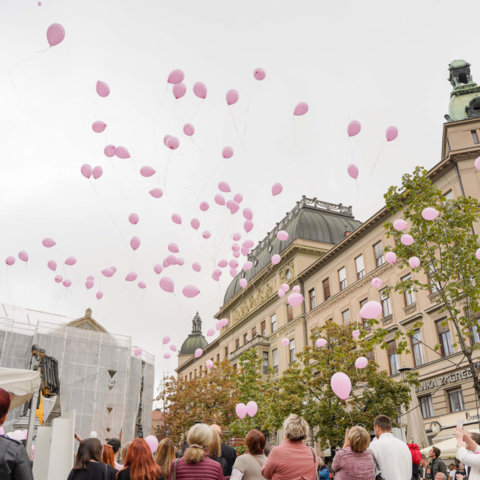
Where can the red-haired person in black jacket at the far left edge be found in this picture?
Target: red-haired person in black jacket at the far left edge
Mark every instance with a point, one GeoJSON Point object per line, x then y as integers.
{"type": "Point", "coordinates": [14, 462]}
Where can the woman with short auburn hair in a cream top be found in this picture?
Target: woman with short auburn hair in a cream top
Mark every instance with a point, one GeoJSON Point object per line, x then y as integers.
{"type": "Point", "coordinates": [249, 466]}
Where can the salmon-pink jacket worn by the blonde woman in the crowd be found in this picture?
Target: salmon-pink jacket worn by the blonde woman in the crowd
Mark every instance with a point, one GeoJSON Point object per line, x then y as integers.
{"type": "Point", "coordinates": [291, 461]}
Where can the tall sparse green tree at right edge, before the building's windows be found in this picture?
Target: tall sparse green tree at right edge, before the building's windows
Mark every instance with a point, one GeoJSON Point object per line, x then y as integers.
{"type": "Point", "coordinates": [446, 248]}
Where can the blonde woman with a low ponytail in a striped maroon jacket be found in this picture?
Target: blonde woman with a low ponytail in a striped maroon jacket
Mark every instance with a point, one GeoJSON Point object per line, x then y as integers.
{"type": "Point", "coordinates": [195, 463]}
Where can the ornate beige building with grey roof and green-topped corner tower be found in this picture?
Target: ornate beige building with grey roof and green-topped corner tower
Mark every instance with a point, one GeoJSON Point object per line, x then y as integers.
{"type": "Point", "coordinates": [333, 258]}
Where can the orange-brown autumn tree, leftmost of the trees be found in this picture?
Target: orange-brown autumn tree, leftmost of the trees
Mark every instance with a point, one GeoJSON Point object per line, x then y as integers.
{"type": "Point", "coordinates": [209, 399]}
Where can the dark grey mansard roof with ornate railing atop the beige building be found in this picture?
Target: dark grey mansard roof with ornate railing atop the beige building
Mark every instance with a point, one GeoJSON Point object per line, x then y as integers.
{"type": "Point", "coordinates": [310, 219]}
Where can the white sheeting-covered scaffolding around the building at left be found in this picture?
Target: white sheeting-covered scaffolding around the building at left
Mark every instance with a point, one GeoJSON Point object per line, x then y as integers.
{"type": "Point", "coordinates": [100, 377]}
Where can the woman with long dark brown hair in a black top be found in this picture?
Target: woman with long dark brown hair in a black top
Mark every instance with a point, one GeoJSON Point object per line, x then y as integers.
{"type": "Point", "coordinates": [88, 462]}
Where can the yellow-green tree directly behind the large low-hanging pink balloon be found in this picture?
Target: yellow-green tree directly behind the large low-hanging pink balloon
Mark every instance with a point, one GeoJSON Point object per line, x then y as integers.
{"type": "Point", "coordinates": [305, 389]}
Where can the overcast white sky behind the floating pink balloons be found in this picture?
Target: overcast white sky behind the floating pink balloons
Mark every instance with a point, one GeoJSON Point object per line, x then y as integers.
{"type": "Point", "coordinates": [381, 62]}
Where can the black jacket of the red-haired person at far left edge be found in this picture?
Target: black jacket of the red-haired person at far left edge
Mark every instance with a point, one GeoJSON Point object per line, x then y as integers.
{"type": "Point", "coordinates": [14, 462]}
